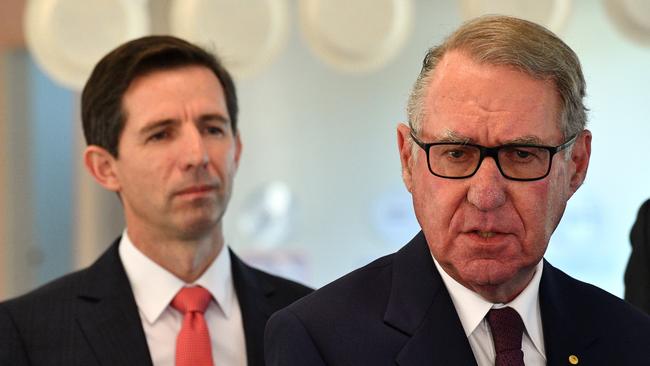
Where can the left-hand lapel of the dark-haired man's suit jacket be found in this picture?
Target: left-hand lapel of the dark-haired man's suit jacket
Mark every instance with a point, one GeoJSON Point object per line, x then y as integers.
{"type": "Point", "coordinates": [108, 315]}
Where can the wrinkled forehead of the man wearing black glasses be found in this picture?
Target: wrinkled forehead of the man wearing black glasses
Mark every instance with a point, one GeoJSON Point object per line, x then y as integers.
{"type": "Point", "coordinates": [489, 103]}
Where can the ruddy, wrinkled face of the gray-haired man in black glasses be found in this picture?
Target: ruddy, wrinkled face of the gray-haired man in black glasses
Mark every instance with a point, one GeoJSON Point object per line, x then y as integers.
{"type": "Point", "coordinates": [486, 231]}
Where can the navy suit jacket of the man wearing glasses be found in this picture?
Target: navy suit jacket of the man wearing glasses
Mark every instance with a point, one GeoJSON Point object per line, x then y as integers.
{"type": "Point", "coordinates": [397, 311]}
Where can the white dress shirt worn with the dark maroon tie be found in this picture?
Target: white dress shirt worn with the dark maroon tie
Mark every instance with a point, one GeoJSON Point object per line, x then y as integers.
{"type": "Point", "coordinates": [472, 309]}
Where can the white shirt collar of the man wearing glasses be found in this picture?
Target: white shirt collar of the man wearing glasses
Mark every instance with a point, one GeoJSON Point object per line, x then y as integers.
{"type": "Point", "coordinates": [472, 308]}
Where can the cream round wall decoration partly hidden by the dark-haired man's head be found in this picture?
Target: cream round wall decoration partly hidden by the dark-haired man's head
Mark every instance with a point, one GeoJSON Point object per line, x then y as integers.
{"type": "Point", "coordinates": [246, 35]}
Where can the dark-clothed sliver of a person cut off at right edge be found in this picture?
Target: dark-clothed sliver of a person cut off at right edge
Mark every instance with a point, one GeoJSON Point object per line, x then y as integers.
{"type": "Point", "coordinates": [637, 273]}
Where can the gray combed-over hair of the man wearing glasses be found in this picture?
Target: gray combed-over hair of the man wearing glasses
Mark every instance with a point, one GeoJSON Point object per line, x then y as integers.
{"type": "Point", "coordinates": [503, 40]}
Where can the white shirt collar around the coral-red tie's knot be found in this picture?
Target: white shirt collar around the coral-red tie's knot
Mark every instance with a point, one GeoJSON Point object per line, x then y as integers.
{"type": "Point", "coordinates": [154, 287]}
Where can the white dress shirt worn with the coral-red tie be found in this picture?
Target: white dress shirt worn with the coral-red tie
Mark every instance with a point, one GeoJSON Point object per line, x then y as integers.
{"type": "Point", "coordinates": [154, 288]}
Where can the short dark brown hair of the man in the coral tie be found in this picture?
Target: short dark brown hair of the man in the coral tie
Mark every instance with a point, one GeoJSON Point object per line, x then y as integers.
{"type": "Point", "coordinates": [102, 114]}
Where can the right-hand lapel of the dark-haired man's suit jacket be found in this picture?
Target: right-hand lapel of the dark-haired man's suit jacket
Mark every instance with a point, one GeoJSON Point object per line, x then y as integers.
{"type": "Point", "coordinates": [253, 294]}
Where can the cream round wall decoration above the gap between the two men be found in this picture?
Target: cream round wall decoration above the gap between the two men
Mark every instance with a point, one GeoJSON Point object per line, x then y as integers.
{"type": "Point", "coordinates": [356, 35]}
